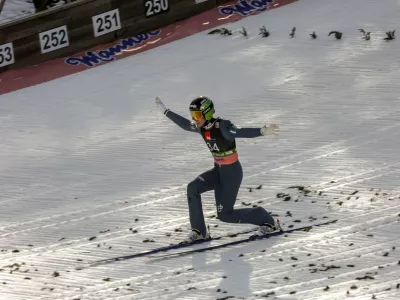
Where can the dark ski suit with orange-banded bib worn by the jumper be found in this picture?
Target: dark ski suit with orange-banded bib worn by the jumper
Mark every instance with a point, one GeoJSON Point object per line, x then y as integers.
{"type": "Point", "coordinates": [226, 176]}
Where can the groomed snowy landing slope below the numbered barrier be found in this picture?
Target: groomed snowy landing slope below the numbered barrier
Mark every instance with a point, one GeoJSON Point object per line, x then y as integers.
{"type": "Point", "coordinates": [90, 168]}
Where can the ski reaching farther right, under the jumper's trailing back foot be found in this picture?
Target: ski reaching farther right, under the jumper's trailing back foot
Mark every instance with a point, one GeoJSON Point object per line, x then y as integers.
{"type": "Point", "coordinates": [241, 241]}
